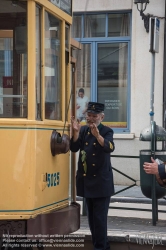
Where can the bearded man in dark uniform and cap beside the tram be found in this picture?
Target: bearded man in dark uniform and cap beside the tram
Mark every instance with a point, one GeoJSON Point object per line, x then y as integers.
{"type": "Point", "coordinates": [94, 179]}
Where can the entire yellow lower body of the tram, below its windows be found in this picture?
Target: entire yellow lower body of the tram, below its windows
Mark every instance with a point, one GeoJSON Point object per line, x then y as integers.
{"type": "Point", "coordinates": [25, 160]}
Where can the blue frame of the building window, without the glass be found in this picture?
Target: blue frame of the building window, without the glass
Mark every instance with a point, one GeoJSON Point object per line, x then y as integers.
{"type": "Point", "coordinates": [94, 41]}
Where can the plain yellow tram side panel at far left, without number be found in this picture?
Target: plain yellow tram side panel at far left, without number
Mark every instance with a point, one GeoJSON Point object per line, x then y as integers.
{"type": "Point", "coordinates": [17, 158]}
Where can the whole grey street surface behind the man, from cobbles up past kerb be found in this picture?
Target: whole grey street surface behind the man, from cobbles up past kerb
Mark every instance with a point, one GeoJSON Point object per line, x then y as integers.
{"type": "Point", "coordinates": [129, 226]}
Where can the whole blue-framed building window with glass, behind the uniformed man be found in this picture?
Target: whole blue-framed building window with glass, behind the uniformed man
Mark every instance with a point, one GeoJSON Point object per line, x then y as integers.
{"type": "Point", "coordinates": [103, 63]}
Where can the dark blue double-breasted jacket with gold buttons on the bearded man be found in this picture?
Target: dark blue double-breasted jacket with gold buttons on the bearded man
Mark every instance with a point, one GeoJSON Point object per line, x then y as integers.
{"type": "Point", "coordinates": [98, 180]}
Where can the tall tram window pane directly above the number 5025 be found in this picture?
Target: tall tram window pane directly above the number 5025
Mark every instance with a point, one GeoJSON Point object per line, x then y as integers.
{"type": "Point", "coordinates": [52, 67]}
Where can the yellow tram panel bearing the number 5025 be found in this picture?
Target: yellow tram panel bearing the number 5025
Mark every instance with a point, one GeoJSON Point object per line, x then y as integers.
{"type": "Point", "coordinates": [54, 170]}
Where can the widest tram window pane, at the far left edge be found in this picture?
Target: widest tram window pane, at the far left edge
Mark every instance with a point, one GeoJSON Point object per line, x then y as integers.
{"type": "Point", "coordinates": [13, 60]}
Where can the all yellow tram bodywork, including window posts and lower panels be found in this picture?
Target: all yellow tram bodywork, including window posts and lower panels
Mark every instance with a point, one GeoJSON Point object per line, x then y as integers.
{"type": "Point", "coordinates": [26, 159]}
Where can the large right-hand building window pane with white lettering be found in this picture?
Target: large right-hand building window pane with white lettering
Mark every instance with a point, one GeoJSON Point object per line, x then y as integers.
{"type": "Point", "coordinates": [112, 65]}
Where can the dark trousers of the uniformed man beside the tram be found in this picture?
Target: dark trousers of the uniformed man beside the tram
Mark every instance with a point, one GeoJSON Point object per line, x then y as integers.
{"type": "Point", "coordinates": [97, 211]}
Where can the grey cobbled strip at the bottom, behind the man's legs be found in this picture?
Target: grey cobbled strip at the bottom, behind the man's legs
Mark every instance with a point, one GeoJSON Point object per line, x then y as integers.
{"type": "Point", "coordinates": [126, 229]}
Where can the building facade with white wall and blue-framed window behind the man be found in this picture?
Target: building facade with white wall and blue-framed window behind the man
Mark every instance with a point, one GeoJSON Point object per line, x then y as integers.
{"type": "Point", "coordinates": [115, 67]}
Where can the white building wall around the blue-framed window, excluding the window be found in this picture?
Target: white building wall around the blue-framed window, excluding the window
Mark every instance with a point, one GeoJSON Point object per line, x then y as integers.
{"type": "Point", "coordinates": [129, 144]}
